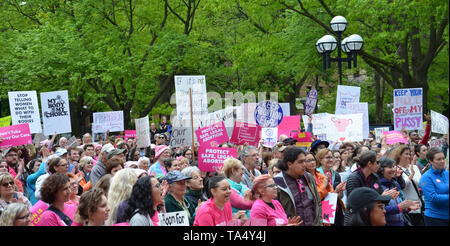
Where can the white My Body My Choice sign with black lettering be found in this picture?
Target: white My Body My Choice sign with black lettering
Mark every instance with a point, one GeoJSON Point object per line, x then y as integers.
{"type": "Point", "coordinates": [55, 112]}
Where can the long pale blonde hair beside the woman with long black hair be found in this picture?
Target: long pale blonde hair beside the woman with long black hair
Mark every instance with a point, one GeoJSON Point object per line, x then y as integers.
{"type": "Point", "coordinates": [120, 190]}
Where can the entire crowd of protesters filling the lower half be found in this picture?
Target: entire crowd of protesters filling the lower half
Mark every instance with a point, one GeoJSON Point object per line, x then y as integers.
{"type": "Point", "coordinates": [112, 182]}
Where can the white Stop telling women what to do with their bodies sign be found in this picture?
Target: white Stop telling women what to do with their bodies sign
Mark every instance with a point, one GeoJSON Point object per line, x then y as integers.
{"type": "Point", "coordinates": [24, 108]}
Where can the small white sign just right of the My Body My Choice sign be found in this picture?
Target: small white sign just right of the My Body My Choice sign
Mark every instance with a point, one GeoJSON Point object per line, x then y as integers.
{"type": "Point", "coordinates": [104, 121]}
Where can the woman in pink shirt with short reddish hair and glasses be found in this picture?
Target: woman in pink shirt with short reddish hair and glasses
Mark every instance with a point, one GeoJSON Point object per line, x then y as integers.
{"type": "Point", "coordinates": [266, 207]}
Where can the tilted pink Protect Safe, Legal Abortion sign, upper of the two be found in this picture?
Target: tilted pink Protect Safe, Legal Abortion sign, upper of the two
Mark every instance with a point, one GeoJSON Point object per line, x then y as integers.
{"type": "Point", "coordinates": [212, 135]}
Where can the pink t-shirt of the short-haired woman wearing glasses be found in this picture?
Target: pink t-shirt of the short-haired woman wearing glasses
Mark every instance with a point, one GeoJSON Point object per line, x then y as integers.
{"type": "Point", "coordinates": [261, 210]}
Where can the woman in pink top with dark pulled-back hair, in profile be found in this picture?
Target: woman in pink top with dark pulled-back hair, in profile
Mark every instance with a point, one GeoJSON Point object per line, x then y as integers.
{"type": "Point", "coordinates": [217, 210]}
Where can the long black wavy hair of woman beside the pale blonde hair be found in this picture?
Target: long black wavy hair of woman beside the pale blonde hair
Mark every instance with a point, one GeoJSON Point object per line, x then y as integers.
{"type": "Point", "coordinates": [141, 198]}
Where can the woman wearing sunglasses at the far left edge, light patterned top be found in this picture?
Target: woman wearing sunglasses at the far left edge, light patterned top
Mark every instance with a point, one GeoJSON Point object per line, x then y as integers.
{"type": "Point", "coordinates": [8, 194]}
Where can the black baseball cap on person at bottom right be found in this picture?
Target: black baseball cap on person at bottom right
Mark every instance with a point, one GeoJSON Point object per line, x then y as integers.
{"type": "Point", "coordinates": [363, 196]}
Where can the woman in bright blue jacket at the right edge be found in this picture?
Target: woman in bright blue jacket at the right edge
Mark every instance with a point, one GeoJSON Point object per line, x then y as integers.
{"type": "Point", "coordinates": [435, 187]}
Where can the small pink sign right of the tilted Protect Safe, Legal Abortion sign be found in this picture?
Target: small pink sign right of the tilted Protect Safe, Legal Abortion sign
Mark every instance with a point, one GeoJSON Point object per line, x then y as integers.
{"type": "Point", "coordinates": [246, 133]}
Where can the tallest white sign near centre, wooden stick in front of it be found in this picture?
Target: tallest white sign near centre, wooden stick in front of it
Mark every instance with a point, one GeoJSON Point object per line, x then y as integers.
{"type": "Point", "coordinates": [197, 86]}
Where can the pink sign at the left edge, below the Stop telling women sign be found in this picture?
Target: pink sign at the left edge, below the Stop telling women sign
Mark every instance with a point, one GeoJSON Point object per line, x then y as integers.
{"type": "Point", "coordinates": [15, 135]}
